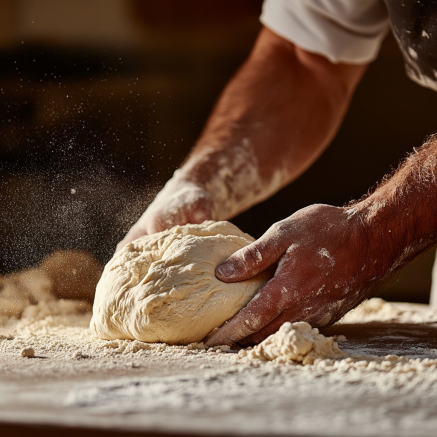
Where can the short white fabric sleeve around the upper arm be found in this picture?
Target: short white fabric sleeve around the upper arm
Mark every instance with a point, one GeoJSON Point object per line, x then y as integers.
{"type": "Point", "coordinates": [349, 31]}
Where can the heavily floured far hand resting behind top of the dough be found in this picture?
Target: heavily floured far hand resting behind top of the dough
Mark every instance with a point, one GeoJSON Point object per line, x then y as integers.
{"type": "Point", "coordinates": [180, 202]}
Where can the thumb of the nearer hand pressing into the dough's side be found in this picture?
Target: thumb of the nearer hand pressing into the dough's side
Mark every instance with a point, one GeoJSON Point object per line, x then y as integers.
{"type": "Point", "coordinates": [256, 257]}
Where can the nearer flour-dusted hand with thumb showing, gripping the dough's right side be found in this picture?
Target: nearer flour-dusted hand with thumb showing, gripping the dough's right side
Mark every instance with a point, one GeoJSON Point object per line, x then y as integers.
{"type": "Point", "coordinates": [324, 269]}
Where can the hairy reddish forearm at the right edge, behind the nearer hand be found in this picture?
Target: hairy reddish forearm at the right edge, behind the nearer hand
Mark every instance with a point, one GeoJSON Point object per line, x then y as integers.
{"type": "Point", "coordinates": [400, 216]}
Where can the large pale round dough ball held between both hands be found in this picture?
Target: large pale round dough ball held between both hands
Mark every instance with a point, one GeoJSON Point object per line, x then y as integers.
{"type": "Point", "coordinates": [162, 287]}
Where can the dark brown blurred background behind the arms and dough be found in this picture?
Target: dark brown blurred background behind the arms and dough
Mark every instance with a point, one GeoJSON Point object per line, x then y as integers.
{"type": "Point", "coordinates": [101, 100]}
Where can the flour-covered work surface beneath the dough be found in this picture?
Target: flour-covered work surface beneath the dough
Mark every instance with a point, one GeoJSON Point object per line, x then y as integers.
{"type": "Point", "coordinates": [78, 380]}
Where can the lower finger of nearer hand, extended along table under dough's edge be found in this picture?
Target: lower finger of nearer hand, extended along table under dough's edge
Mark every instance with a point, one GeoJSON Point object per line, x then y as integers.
{"type": "Point", "coordinates": [259, 312]}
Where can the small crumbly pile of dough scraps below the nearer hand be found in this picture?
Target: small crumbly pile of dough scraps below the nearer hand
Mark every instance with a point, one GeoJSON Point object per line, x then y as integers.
{"type": "Point", "coordinates": [294, 342]}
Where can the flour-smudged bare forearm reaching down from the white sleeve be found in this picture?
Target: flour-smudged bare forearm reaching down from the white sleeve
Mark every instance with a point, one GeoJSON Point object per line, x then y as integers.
{"type": "Point", "coordinates": [272, 122]}
